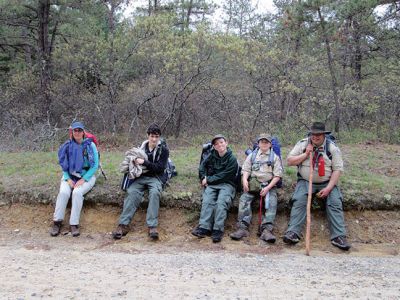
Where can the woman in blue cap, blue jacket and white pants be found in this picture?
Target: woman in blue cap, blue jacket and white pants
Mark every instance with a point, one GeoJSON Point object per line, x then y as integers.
{"type": "Point", "coordinates": [79, 160]}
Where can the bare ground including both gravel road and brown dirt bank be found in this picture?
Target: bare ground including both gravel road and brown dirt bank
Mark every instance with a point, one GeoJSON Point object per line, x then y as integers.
{"type": "Point", "coordinates": [93, 266]}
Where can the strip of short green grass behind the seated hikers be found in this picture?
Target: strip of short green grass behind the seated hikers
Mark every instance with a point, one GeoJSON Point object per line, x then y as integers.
{"type": "Point", "coordinates": [373, 169]}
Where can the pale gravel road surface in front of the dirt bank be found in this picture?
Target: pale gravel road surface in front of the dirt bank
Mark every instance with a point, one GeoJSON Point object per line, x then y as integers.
{"type": "Point", "coordinates": [34, 270]}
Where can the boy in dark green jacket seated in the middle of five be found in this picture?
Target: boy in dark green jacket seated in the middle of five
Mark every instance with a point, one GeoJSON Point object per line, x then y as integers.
{"type": "Point", "coordinates": [217, 175]}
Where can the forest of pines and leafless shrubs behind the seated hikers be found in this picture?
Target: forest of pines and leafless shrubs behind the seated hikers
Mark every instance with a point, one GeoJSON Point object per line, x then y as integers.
{"type": "Point", "coordinates": [198, 67]}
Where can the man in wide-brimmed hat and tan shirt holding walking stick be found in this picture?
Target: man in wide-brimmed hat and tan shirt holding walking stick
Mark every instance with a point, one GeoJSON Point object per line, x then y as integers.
{"type": "Point", "coordinates": [328, 165]}
